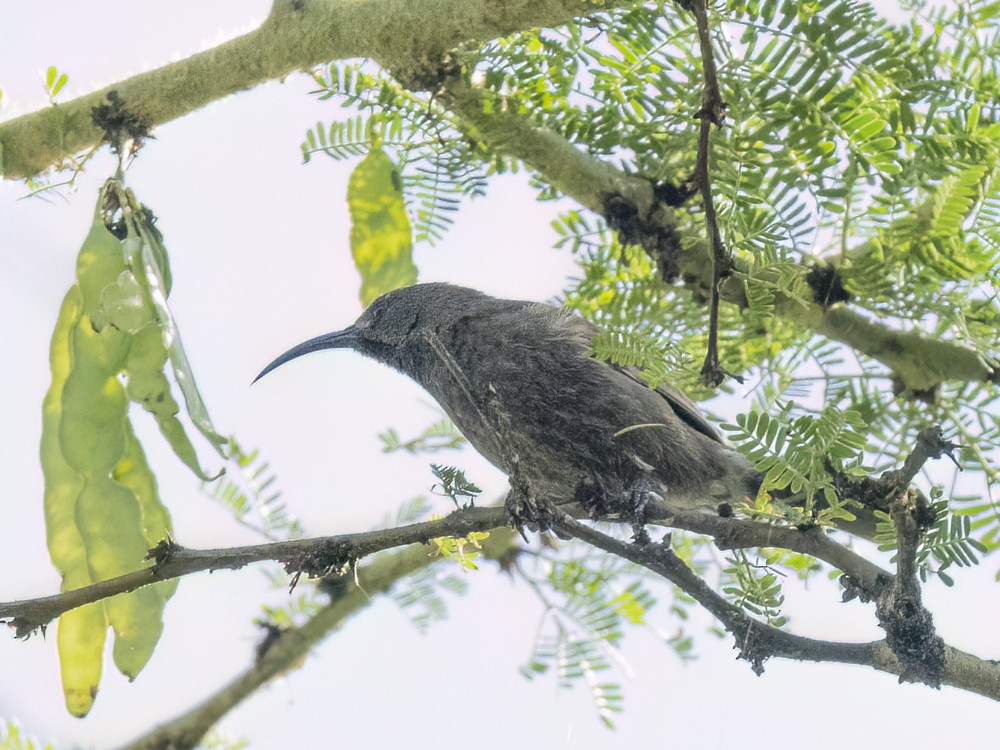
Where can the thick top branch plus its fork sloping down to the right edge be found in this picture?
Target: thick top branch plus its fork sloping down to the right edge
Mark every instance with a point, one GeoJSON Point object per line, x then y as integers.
{"type": "Point", "coordinates": [405, 35]}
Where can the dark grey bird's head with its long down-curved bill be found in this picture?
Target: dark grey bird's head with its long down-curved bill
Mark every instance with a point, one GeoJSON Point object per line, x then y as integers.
{"type": "Point", "coordinates": [391, 322]}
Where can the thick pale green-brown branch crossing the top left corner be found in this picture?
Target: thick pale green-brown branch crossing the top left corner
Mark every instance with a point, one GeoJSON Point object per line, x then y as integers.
{"type": "Point", "coordinates": [408, 37]}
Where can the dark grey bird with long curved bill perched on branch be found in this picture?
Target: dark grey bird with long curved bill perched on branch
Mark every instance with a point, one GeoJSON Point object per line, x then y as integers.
{"type": "Point", "coordinates": [520, 380]}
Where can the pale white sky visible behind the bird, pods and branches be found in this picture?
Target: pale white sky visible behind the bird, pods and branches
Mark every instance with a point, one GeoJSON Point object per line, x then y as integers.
{"type": "Point", "coordinates": [260, 261]}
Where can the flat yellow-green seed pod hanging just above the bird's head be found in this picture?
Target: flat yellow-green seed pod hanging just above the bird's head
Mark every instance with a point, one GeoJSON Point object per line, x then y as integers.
{"type": "Point", "coordinates": [381, 240]}
